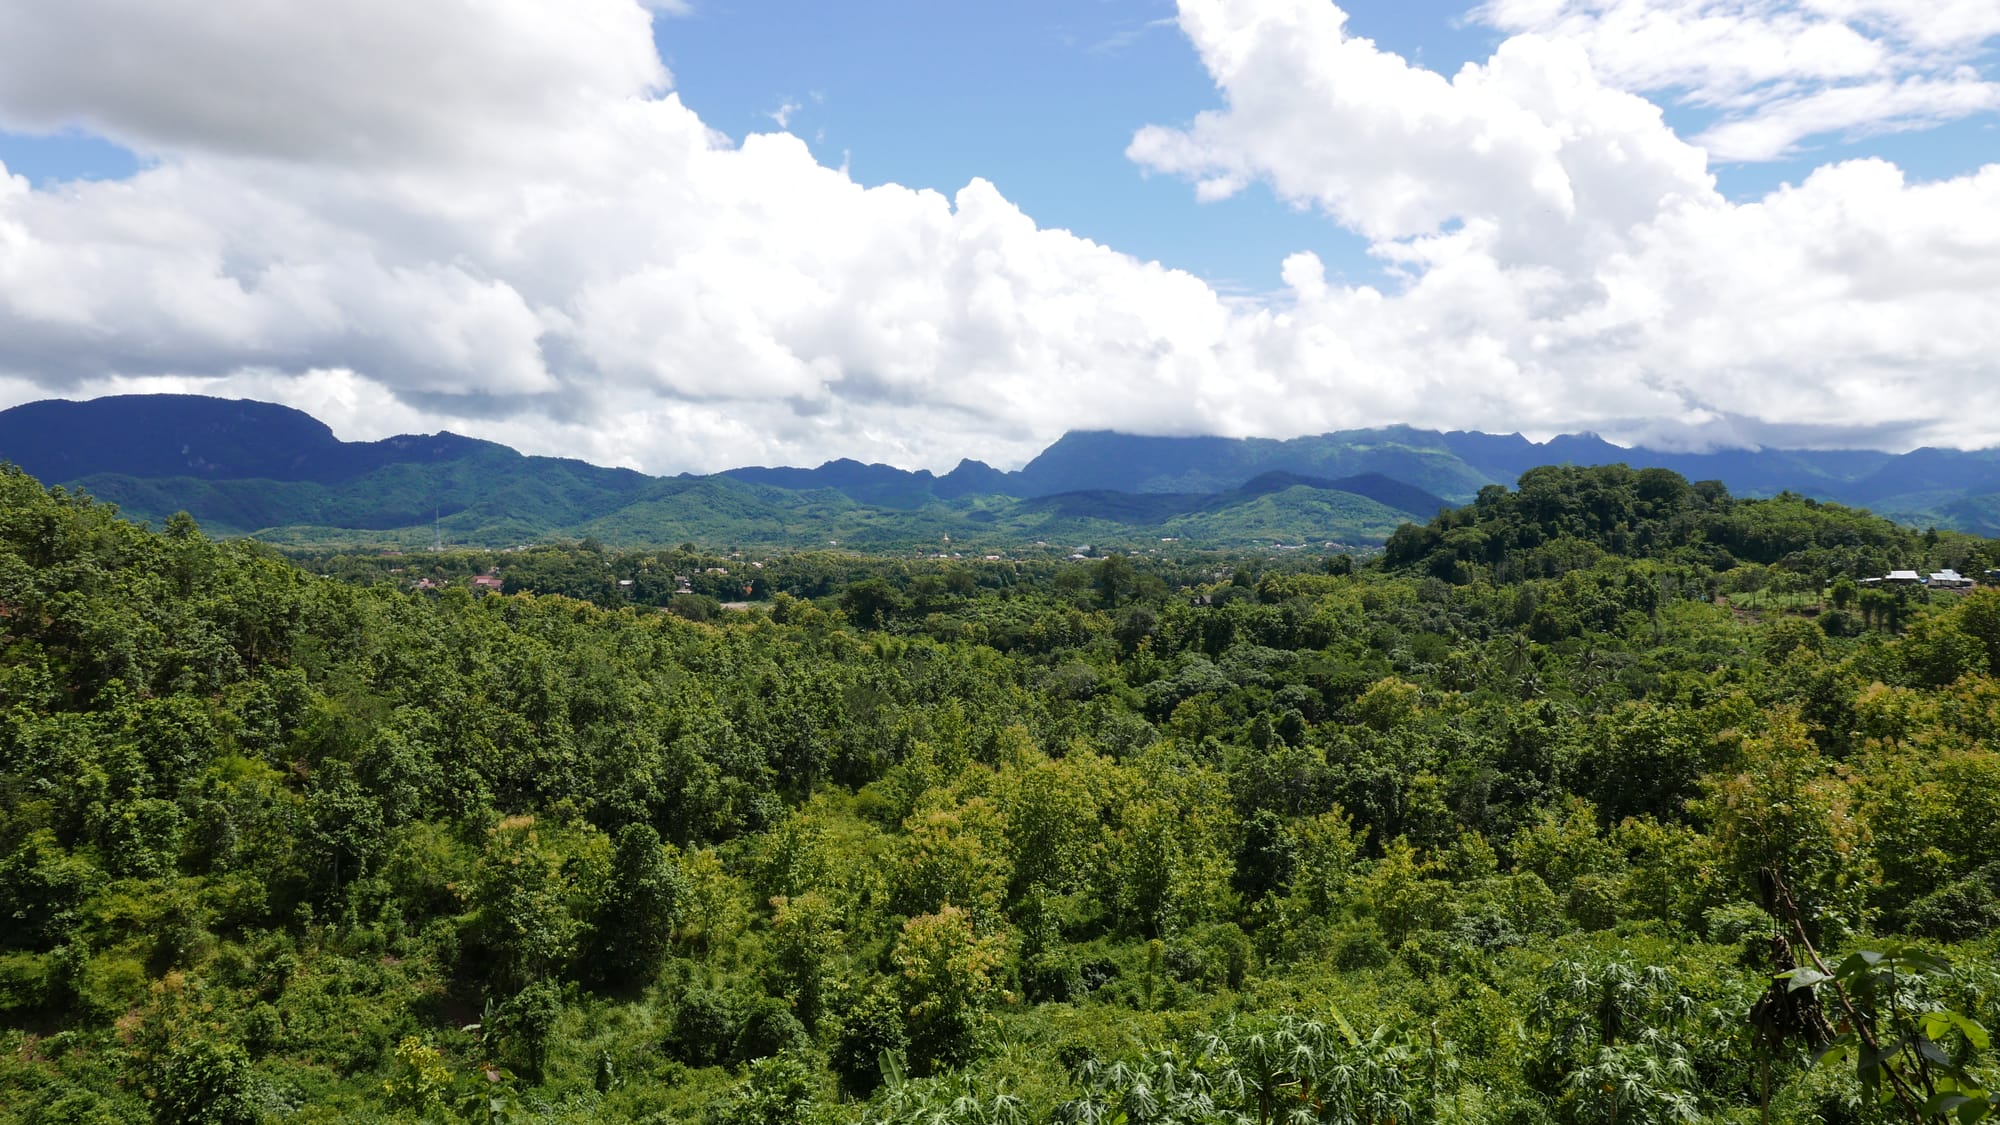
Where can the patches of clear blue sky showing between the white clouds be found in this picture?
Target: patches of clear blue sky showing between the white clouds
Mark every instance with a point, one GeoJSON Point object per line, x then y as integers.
{"type": "Point", "coordinates": [1041, 97]}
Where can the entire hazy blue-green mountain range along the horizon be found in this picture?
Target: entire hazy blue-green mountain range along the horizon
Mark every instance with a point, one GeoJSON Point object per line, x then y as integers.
{"type": "Point", "coordinates": [277, 473]}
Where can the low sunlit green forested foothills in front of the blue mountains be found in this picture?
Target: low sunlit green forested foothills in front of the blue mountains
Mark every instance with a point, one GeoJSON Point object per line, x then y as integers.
{"type": "Point", "coordinates": [395, 507]}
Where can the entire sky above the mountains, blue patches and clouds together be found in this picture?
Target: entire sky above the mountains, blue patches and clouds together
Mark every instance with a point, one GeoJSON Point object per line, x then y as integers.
{"type": "Point", "coordinates": [687, 235]}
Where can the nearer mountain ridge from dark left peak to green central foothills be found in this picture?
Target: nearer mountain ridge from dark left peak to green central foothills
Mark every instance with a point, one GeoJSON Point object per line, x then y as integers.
{"type": "Point", "coordinates": [275, 473]}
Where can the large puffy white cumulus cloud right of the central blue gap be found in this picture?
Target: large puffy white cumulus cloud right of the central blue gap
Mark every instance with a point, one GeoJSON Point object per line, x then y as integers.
{"type": "Point", "coordinates": [1569, 255]}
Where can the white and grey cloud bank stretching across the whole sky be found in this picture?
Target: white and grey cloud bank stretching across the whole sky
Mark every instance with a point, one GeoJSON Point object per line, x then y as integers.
{"type": "Point", "coordinates": [501, 219]}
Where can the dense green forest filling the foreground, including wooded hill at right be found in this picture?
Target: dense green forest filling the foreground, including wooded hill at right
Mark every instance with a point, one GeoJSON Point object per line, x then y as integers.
{"type": "Point", "coordinates": [1607, 800]}
